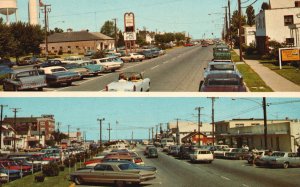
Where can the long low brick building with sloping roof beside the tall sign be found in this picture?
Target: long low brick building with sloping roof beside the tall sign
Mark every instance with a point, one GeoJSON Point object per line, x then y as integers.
{"type": "Point", "coordinates": [77, 42]}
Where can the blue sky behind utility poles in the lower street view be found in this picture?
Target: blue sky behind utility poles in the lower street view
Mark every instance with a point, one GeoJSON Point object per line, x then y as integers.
{"type": "Point", "coordinates": [138, 114]}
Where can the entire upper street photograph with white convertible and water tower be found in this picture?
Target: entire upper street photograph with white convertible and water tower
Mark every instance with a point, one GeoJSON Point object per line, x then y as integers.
{"type": "Point", "coordinates": [150, 46]}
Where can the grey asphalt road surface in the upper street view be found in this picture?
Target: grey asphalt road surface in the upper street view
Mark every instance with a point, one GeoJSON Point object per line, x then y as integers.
{"type": "Point", "coordinates": [180, 70]}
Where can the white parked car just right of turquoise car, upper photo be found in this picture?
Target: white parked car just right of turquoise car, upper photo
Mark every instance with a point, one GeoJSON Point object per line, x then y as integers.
{"type": "Point", "coordinates": [110, 63]}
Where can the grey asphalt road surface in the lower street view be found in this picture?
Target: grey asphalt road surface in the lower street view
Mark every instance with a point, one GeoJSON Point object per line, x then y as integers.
{"type": "Point", "coordinates": [175, 172]}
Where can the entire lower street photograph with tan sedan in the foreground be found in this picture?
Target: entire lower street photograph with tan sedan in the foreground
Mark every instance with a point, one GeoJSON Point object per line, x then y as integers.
{"type": "Point", "coordinates": [149, 141]}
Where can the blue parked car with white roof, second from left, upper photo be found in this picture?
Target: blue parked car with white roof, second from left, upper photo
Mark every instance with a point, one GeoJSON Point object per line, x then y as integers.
{"type": "Point", "coordinates": [57, 75]}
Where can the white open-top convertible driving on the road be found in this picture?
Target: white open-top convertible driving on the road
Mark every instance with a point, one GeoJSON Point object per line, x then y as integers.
{"type": "Point", "coordinates": [130, 82]}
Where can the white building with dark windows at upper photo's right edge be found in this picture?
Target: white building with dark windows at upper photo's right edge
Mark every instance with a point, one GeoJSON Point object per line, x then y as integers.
{"type": "Point", "coordinates": [278, 23]}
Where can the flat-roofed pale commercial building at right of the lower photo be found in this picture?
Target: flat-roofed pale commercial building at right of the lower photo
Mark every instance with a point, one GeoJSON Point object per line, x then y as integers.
{"type": "Point", "coordinates": [282, 135]}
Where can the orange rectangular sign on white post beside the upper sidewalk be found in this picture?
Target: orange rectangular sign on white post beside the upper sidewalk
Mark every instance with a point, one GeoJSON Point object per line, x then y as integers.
{"type": "Point", "coordinates": [288, 54]}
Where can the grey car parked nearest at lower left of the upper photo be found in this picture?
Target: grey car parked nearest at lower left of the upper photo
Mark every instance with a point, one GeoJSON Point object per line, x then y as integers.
{"type": "Point", "coordinates": [24, 80]}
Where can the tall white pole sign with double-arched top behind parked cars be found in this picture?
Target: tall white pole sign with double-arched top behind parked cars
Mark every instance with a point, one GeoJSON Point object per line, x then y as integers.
{"type": "Point", "coordinates": [129, 34]}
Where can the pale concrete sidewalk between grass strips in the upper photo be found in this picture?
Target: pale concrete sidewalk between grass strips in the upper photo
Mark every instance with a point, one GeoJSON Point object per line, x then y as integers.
{"type": "Point", "coordinates": [276, 82]}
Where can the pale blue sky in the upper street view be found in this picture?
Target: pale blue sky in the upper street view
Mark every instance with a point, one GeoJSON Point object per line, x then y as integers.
{"type": "Point", "coordinates": [190, 16]}
